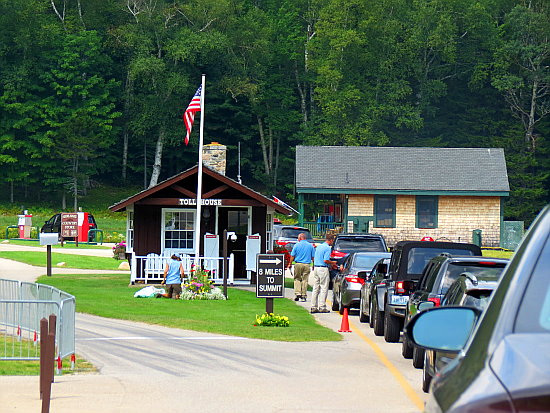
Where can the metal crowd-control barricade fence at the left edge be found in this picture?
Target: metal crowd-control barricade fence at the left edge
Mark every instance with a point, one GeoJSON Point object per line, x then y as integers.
{"type": "Point", "coordinates": [22, 305]}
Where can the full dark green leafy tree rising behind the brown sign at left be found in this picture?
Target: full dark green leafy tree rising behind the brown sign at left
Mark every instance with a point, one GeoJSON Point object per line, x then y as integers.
{"type": "Point", "coordinates": [80, 110]}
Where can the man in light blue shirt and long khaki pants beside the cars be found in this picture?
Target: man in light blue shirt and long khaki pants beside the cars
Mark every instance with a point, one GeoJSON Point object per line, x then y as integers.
{"type": "Point", "coordinates": [321, 276]}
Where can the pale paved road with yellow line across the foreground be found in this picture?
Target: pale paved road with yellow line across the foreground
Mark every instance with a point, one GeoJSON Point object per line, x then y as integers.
{"type": "Point", "coordinates": [145, 368]}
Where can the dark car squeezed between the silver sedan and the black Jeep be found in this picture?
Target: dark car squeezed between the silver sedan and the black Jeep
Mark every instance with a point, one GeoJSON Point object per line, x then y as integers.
{"type": "Point", "coordinates": [370, 296]}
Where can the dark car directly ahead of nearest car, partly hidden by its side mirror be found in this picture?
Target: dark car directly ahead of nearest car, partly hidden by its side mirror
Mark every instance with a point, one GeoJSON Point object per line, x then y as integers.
{"type": "Point", "coordinates": [468, 290]}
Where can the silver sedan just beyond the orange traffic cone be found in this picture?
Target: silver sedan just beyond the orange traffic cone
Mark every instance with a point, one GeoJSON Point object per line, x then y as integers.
{"type": "Point", "coordinates": [346, 291]}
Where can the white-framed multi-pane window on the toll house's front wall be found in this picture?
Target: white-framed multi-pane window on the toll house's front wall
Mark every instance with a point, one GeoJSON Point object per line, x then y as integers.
{"type": "Point", "coordinates": [178, 227]}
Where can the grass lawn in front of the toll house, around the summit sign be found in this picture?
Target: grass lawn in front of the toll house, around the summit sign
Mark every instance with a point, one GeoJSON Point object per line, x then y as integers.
{"type": "Point", "coordinates": [109, 296]}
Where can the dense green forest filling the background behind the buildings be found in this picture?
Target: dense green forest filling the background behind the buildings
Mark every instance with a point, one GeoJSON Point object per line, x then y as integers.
{"type": "Point", "coordinates": [93, 90]}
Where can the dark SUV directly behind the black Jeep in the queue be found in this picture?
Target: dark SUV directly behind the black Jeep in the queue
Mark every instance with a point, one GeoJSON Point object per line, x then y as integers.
{"type": "Point", "coordinates": [438, 275]}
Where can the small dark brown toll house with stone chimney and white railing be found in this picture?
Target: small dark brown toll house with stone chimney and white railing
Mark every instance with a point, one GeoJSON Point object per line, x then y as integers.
{"type": "Point", "coordinates": [161, 222]}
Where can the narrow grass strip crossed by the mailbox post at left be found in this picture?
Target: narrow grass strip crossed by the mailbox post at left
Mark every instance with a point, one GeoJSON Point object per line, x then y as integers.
{"type": "Point", "coordinates": [38, 258]}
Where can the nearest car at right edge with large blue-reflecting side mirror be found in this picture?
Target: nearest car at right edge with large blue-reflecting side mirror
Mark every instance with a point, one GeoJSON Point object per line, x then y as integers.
{"type": "Point", "coordinates": [503, 362]}
